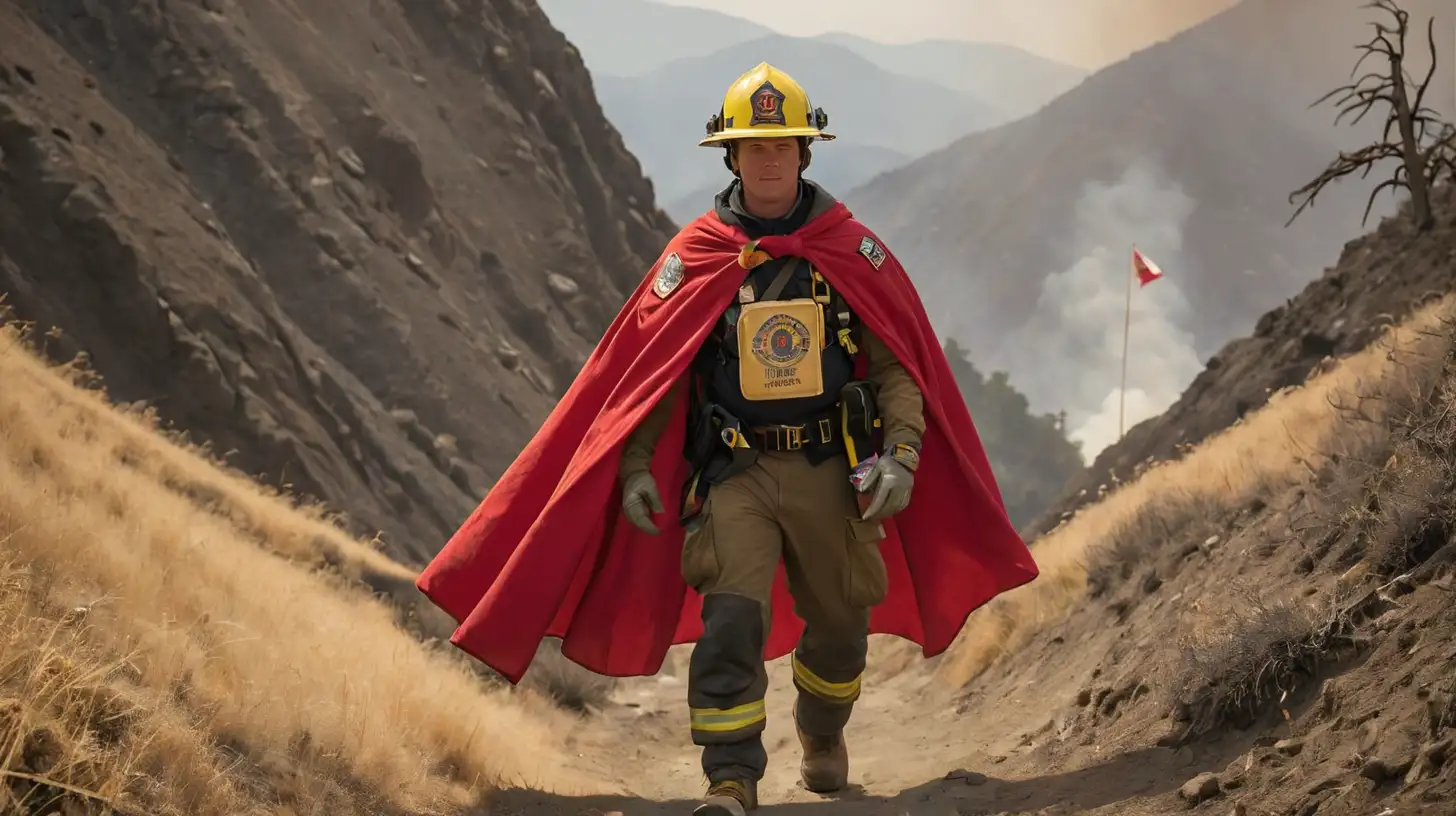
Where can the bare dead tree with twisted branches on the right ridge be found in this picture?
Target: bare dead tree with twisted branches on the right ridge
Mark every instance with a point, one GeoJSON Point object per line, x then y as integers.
{"type": "Point", "coordinates": [1425, 145]}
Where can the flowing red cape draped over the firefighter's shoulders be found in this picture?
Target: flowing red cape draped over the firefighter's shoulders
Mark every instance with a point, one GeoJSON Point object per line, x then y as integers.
{"type": "Point", "coordinates": [550, 552]}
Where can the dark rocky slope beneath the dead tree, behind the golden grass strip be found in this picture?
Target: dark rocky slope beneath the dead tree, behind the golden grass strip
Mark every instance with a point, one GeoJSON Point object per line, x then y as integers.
{"type": "Point", "coordinates": [1381, 279]}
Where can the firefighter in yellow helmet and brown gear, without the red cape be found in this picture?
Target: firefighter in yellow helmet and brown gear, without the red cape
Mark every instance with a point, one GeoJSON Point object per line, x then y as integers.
{"type": "Point", "coordinates": [794, 377]}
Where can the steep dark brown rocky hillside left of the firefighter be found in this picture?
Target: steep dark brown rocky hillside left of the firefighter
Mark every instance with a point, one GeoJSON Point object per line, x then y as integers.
{"type": "Point", "coordinates": [363, 254]}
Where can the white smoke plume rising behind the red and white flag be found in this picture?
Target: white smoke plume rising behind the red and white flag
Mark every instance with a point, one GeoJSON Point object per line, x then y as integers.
{"type": "Point", "coordinates": [1069, 355]}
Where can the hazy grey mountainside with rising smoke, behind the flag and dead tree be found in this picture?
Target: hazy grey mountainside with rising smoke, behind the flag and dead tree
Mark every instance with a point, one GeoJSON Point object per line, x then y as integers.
{"type": "Point", "coordinates": [1187, 149]}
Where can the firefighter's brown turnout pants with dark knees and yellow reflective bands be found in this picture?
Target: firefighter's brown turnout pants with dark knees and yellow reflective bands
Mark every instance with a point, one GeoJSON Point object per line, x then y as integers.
{"type": "Point", "coordinates": [783, 508]}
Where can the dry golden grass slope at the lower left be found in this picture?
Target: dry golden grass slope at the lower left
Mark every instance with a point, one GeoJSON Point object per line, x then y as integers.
{"type": "Point", "coordinates": [161, 646]}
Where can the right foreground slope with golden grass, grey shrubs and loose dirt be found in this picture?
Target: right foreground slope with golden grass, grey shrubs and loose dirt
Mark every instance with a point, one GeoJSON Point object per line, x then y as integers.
{"type": "Point", "coordinates": [1265, 629]}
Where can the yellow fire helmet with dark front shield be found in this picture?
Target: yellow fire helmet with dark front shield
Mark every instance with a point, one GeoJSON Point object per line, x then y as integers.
{"type": "Point", "coordinates": [765, 104]}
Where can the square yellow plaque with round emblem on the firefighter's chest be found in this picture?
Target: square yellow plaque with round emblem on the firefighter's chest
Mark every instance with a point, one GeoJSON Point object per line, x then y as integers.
{"type": "Point", "coordinates": [781, 348]}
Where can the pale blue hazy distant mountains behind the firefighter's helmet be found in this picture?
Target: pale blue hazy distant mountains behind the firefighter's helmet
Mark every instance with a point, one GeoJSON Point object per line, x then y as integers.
{"type": "Point", "coordinates": [662, 71]}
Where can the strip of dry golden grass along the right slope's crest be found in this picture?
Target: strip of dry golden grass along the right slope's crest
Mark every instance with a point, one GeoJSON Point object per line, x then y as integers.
{"type": "Point", "coordinates": [1337, 413]}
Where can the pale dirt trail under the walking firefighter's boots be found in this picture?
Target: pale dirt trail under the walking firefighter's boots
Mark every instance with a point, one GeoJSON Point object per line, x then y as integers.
{"type": "Point", "coordinates": [912, 751]}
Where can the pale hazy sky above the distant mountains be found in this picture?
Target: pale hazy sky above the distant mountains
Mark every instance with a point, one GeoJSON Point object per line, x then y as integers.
{"type": "Point", "coordinates": [1084, 33]}
